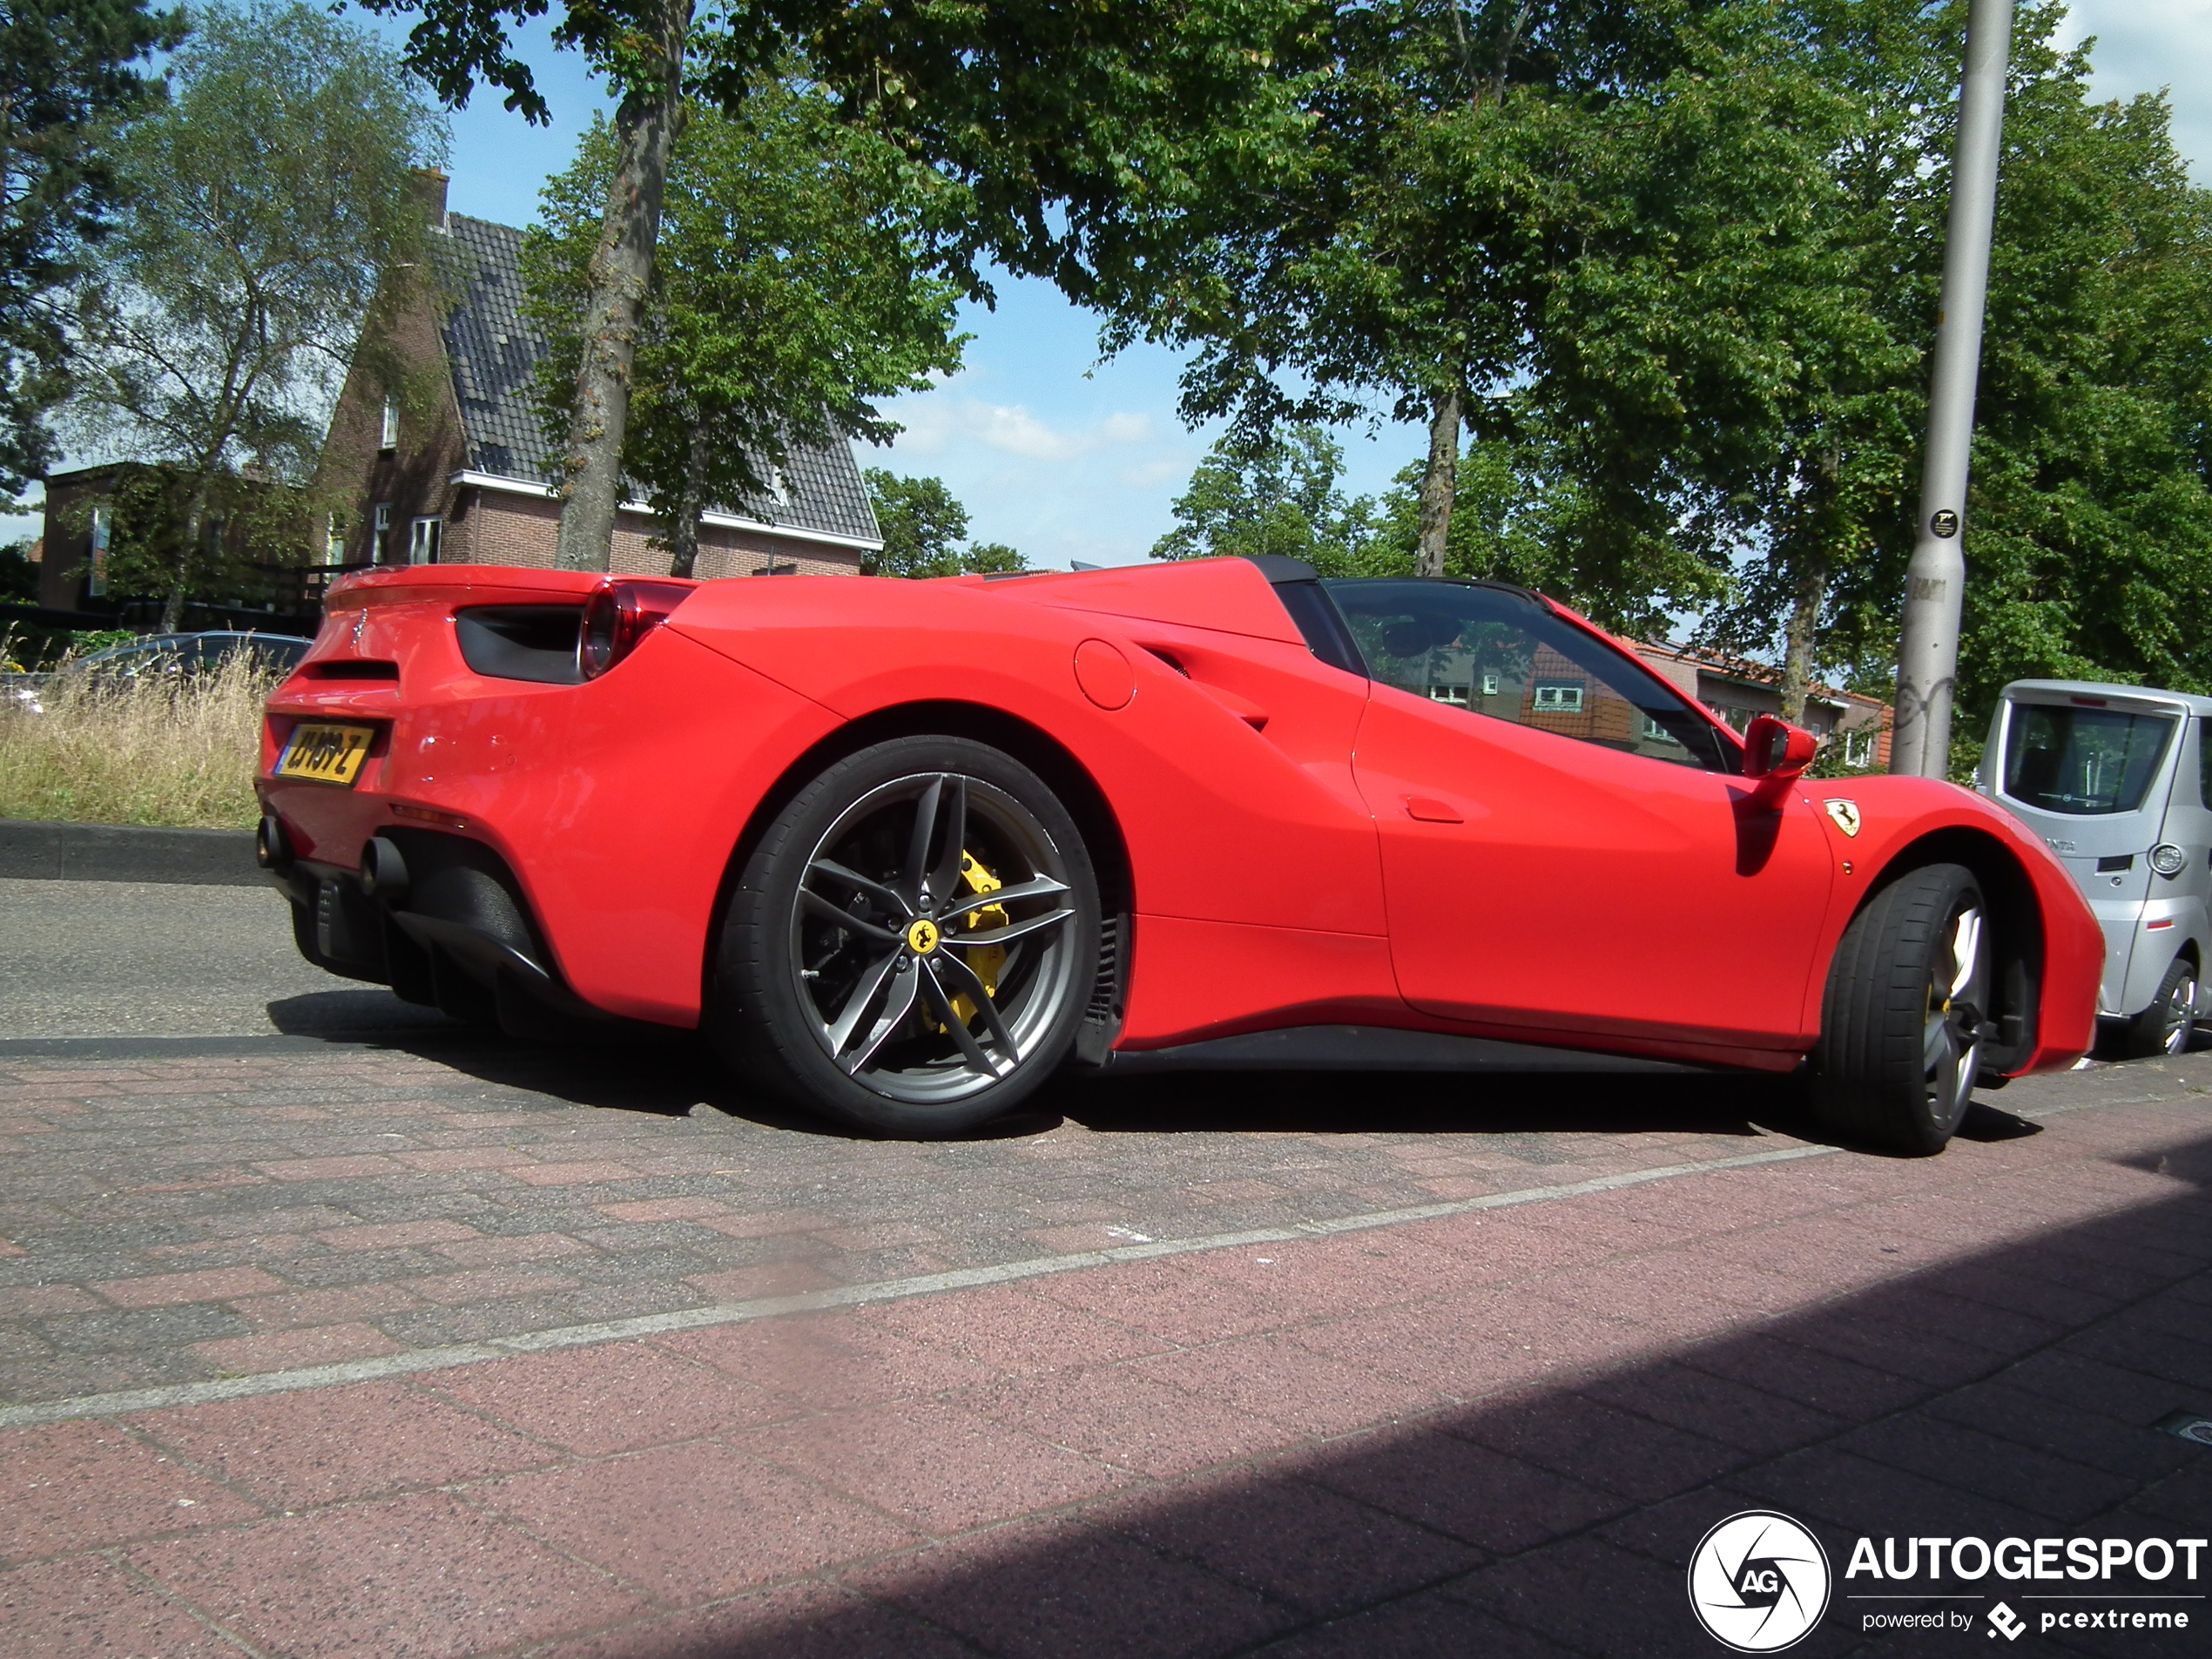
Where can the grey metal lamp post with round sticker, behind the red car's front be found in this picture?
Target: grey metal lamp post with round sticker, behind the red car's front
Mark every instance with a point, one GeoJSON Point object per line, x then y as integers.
{"type": "Point", "coordinates": [1937, 581]}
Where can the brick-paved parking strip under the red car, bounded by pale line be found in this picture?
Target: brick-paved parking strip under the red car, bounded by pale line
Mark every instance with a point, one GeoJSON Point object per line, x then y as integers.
{"type": "Point", "coordinates": [182, 1220]}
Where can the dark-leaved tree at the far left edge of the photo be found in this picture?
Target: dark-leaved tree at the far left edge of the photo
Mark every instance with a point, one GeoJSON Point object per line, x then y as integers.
{"type": "Point", "coordinates": [65, 70]}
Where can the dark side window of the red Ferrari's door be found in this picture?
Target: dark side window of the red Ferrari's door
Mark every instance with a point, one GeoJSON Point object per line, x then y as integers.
{"type": "Point", "coordinates": [1505, 656]}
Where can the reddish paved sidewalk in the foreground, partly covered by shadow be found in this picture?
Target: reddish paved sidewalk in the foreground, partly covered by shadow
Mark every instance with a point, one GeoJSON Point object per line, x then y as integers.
{"type": "Point", "coordinates": [1494, 1432]}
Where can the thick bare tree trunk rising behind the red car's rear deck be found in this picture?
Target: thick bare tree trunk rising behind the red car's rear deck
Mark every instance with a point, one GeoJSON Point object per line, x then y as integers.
{"type": "Point", "coordinates": [616, 295]}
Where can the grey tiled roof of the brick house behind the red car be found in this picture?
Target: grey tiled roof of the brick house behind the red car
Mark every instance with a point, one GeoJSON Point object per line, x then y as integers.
{"type": "Point", "coordinates": [494, 355]}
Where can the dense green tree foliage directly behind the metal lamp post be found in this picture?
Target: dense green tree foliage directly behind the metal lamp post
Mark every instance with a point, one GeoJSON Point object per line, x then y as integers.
{"type": "Point", "coordinates": [2089, 523]}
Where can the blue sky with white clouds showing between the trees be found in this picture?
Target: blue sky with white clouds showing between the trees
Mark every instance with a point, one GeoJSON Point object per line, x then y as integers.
{"type": "Point", "coordinates": [1074, 459]}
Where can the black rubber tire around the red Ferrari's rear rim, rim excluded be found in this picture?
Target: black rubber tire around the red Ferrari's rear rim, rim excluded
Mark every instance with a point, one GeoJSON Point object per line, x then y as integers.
{"type": "Point", "coordinates": [758, 1016]}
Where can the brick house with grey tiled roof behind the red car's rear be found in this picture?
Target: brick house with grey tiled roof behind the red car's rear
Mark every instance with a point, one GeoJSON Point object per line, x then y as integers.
{"type": "Point", "coordinates": [452, 468]}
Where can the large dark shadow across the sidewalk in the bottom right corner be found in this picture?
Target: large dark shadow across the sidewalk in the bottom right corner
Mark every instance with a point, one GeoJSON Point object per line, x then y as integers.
{"type": "Point", "coordinates": [2007, 1395]}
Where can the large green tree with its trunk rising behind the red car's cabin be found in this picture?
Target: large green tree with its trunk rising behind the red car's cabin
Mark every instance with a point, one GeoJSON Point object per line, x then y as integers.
{"type": "Point", "coordinates": [1472, 194]}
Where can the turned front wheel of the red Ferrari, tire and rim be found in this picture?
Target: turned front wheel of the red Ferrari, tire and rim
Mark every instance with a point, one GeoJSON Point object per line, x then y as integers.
{"type": "Point", "coordinates": [1906, 1014]}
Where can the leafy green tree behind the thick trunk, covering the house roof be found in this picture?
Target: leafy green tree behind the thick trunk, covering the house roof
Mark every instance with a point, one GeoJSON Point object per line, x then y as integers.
{"type": "Point", "coordinates": [789, 298]}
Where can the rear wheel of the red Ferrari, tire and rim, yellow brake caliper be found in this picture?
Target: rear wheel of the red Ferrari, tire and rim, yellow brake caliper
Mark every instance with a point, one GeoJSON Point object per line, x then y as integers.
{"type": "Point", "coordinates": [915, 941]}
